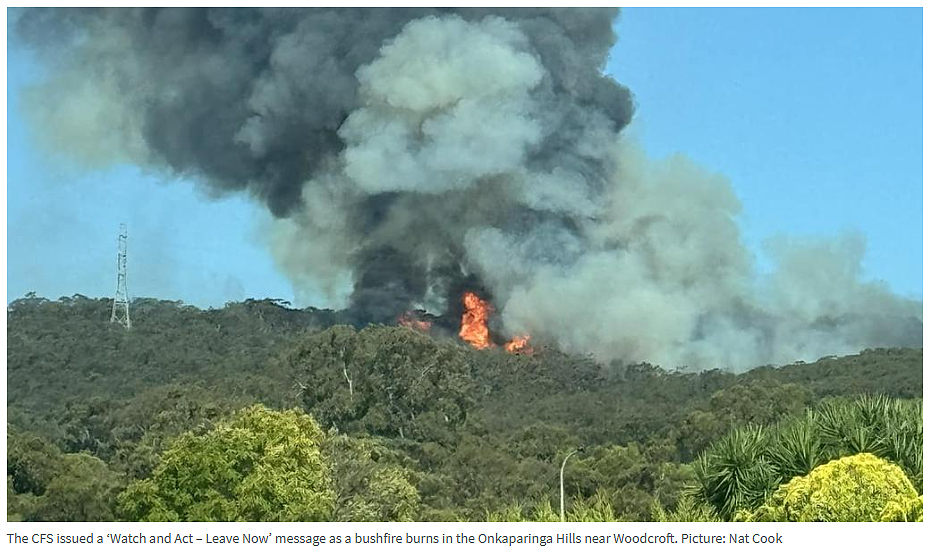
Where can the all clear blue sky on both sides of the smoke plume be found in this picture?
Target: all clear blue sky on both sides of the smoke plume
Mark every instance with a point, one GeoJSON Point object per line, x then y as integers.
{"type": "Point", "coordinates": [814, 115]}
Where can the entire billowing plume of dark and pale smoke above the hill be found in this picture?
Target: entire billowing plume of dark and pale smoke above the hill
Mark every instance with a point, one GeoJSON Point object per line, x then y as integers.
{"type": "Point", "coordinates": [413, 154]}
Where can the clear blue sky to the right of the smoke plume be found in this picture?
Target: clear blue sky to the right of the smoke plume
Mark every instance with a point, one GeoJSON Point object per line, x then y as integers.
{"type": "Point", "coordinates": [815, 115]}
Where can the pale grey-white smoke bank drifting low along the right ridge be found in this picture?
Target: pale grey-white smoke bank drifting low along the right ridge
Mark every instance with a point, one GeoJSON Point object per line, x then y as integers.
{"type": "Point", "coordinates": [666, 278]}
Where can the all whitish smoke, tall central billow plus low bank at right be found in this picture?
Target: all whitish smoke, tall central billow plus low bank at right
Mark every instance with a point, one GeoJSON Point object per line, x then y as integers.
{"type": "Point", "coordinates": [657, 270]}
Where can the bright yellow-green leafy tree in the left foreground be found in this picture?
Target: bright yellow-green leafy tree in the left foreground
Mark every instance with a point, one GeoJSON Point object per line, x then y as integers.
{"type": "Point", "coordinates": [261, 465]}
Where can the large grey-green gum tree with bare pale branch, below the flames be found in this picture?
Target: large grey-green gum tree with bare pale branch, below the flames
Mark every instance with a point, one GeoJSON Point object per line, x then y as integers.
{"type": "Point", "coordinates": [389, 381]}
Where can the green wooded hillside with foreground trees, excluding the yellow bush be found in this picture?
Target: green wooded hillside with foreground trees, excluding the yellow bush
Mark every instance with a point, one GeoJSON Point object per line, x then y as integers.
{"type": "Point", "coordinates": [406, 425]}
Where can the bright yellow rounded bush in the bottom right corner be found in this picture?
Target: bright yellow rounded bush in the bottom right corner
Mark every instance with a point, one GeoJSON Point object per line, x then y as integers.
{"type": "Point", "coordinates": [851, 489]}
